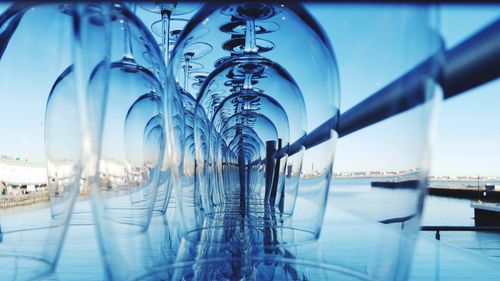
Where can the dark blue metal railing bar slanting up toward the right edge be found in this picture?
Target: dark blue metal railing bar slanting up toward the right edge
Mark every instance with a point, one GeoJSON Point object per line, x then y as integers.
{"type": "Point", "coordinates": [470, 64]}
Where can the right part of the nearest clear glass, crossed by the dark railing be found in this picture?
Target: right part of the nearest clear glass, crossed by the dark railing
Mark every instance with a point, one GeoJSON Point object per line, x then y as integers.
{"type": "Point", "coordinates": [382, 159]}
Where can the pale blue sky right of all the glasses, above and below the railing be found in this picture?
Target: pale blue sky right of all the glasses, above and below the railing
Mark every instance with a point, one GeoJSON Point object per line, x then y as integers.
{"type": "Point", "coordinates": [468, 140]}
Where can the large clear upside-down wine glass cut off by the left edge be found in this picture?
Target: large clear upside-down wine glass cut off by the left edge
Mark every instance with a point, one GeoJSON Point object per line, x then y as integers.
{"type": "Point", "coordinates": [42, 170]}
